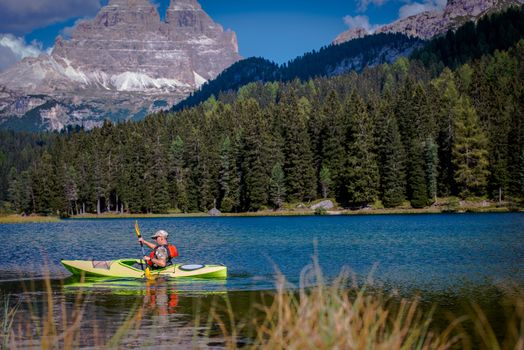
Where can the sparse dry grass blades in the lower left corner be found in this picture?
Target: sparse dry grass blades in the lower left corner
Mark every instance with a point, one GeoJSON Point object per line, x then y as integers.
{"type": "Point", "coordinates": [51, 324]}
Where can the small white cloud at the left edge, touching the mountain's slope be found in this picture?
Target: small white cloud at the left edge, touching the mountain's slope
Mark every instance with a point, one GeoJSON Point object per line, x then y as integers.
{"type": "Point", "coordinates": [13, 49]}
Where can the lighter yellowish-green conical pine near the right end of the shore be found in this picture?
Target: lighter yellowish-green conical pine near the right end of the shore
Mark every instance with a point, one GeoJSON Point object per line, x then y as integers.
{"type": "Point", "coordinates": [469, 151]}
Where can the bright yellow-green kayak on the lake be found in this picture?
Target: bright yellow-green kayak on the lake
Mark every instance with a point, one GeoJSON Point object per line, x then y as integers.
{"type": "Point", "coordinates": [131, 268]}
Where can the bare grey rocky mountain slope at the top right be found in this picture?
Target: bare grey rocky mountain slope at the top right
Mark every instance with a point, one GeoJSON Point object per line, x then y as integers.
{"type": "Point", "coordinates": [428, 24]}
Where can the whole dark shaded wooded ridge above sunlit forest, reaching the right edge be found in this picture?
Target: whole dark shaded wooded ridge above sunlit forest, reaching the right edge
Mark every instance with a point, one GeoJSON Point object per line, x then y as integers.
{"type": "Point", "coordinates": [498, 31]}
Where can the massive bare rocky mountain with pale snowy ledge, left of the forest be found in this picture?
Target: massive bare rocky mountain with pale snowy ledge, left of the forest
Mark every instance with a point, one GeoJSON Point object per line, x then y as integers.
{"type": "Point", "coordinates": [124, 62]}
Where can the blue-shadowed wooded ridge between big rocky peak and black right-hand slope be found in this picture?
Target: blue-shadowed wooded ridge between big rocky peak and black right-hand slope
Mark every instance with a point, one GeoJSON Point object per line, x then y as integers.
{"type": "Point", "coordinates": [328, 61]}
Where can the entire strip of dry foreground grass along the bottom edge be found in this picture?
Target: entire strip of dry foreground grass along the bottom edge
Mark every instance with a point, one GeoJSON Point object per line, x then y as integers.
{"type": "Point", "coordinates": [319, 315]}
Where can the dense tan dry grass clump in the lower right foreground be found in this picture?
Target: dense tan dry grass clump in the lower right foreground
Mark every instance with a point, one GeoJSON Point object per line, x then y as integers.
{"type": "Point", "coordinates": [342, 315]}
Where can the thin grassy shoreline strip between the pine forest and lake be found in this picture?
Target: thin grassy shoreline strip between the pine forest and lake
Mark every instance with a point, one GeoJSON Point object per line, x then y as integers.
{"type": "Point", "coordinates": [18, 219]}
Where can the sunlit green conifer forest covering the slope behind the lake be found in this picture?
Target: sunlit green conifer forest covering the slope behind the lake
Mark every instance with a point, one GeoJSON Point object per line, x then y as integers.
{"type": "Point", "coordinates": [392, 134]}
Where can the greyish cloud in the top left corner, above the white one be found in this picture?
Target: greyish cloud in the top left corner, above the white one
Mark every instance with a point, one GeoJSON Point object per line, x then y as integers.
{"type": "Point", "coordinates": [23, 16]}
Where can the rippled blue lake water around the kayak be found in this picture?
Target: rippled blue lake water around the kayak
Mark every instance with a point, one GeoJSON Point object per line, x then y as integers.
{"type": "Point", "coordinates": [442, 257]}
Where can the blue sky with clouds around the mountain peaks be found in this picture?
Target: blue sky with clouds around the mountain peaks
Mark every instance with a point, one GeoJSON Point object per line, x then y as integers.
{"type": "Point", "coordinates": [276, 30]}
